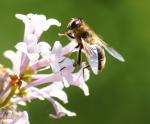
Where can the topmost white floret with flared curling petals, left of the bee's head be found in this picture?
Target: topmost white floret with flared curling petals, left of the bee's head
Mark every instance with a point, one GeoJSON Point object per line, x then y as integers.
{"type": "Point", "coordinates": [35, 25]}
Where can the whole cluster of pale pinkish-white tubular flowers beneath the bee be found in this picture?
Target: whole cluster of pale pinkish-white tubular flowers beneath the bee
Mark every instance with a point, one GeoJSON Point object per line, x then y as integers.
{"type": "Point", "coordinates": [20, 85]}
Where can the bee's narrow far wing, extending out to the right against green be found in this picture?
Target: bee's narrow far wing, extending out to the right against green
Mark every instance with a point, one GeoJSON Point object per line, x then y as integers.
{"type": "Point", "coordinates": [112, 51]}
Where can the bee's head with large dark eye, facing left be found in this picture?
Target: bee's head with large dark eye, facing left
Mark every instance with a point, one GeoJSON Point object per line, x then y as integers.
{"type": "Point", "coordinates": [74, 23]}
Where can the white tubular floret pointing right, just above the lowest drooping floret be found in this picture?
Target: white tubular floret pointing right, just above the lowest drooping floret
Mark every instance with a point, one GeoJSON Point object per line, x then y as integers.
{"type": "Point", "coordinates": [53, 90]}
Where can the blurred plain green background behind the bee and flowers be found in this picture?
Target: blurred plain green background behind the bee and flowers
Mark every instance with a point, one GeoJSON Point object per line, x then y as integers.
{"type": "Point", "coordinates": [119, 95]}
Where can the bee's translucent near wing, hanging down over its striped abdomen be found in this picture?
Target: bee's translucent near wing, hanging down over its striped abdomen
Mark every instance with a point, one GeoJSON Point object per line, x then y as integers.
{"type": "Point", "coordinates": [91, 52]}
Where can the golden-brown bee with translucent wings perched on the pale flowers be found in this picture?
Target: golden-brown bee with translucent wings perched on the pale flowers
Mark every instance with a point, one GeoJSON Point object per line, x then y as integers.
{"type": "Point", "coordinates": [91, 44]}
